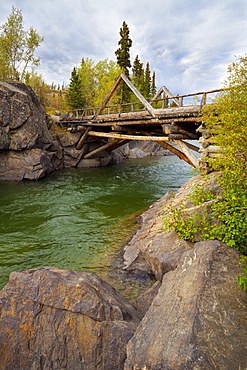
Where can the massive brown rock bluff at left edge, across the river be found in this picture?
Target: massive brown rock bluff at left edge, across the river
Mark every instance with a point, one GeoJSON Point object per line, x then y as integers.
{"type": "Point", "coordinates": [27, 149]}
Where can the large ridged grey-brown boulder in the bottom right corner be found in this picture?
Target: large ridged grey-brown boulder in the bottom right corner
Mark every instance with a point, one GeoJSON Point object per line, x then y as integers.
{"type": "Point", "coordinates": [198, 318]}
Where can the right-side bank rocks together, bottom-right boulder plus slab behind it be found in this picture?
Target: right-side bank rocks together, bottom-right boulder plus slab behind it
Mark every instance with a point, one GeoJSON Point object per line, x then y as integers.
{"type": "Point", "coordinates": [195, 315]}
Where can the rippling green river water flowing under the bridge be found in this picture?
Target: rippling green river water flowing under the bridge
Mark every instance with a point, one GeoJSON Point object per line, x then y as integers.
{"type": "Point", "coordinates": [77, 219]}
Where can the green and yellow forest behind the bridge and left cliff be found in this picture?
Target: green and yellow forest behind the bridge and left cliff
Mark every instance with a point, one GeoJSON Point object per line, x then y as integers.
{"type": "Point", "coordinates": [89, 83]}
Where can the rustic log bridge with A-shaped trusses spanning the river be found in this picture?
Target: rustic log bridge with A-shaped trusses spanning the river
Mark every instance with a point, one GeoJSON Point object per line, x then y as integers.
{"type": "Point", "coordinates": [166, 119]}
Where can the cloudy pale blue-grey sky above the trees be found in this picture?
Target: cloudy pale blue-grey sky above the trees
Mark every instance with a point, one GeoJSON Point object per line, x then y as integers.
{"type": "Point", "coordinates": [188, 43]}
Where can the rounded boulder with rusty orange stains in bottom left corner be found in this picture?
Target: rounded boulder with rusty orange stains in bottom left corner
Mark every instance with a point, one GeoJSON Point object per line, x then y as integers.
{"type": "Point", "coordinates": [62, 319]}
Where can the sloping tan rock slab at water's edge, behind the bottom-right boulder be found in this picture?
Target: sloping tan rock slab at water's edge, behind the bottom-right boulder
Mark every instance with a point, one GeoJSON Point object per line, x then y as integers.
{"type": "Point", "coordinates": [154, 249]}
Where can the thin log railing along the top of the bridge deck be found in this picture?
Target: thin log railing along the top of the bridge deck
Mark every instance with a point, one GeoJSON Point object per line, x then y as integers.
{"type": "Point", "coordinates": [199, 99]}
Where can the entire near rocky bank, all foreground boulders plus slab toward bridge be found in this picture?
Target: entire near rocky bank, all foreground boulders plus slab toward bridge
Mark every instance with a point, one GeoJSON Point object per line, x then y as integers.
{"type": "Point", "coordinates": [193, 317]}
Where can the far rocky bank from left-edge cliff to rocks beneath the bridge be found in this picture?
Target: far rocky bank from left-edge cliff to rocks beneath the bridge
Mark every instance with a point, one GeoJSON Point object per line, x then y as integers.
{"type": "Point", "coordinates": [33, 145]}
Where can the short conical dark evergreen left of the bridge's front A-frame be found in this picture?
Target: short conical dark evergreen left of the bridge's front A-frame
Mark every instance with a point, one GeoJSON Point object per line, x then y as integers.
{"type": "Point", "coordinates": [74, 95]}
